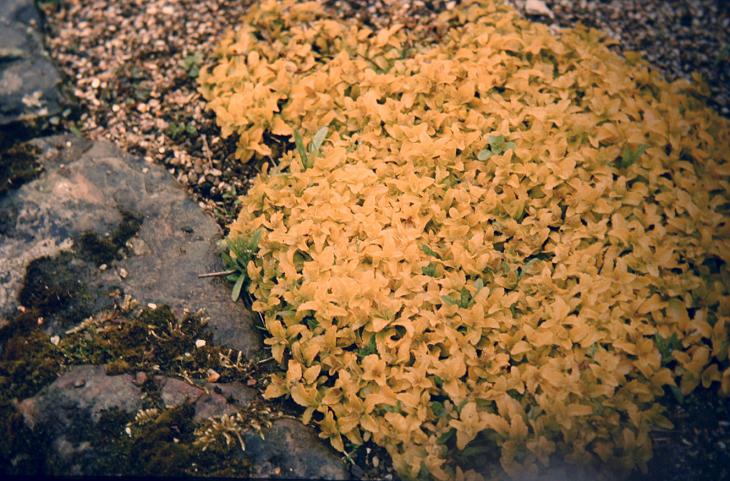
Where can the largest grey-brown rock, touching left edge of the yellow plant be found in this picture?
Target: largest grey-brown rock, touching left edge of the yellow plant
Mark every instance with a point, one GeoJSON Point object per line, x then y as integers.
{"type": "Point", "coordinates": [90, 189]}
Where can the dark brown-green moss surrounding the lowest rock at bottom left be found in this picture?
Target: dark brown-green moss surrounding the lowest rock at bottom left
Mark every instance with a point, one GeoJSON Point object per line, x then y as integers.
{"type": "Point", "coordinates": [150, 340]}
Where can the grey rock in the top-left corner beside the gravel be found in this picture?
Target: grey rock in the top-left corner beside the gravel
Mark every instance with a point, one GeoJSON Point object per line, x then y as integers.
{"type": "Point", "coordinates": [29, 82]}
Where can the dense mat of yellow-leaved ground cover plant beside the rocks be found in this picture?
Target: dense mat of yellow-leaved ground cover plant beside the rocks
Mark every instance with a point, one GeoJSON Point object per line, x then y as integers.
{"type": "Point", "coordinates": [490, 241]}
